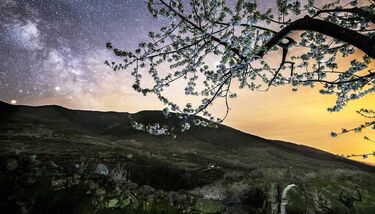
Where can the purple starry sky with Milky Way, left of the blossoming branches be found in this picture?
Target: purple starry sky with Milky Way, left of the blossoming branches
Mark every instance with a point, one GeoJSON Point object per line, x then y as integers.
{"type": "Point", "coordinates": [57, 48]}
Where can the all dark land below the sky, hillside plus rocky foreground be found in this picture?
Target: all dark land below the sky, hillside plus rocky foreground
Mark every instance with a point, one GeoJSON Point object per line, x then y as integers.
{"type": "Point", "coordinates": [57, 160]}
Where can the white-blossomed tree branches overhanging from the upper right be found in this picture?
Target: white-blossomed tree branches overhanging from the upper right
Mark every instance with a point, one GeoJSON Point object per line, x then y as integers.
{"type": "Point", "coordinates": [244, 38]}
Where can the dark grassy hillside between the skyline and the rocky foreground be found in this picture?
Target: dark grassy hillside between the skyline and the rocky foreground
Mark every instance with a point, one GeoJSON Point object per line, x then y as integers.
{"type": "Point", "coordinates": [66, 137]}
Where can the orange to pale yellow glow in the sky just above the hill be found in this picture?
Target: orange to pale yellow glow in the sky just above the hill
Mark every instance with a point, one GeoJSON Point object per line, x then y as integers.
{"type": "Point", "coordinates": [299, 117]}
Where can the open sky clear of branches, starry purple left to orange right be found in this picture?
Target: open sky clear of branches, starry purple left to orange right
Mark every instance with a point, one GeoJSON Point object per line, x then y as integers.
{"type": "Point", "coordinates": [53, 52]}
